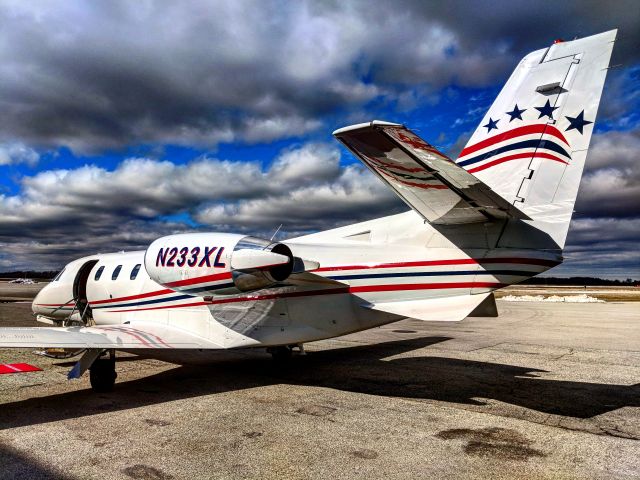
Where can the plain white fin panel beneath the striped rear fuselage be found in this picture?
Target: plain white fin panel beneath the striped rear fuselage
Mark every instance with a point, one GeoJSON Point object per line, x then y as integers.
{"type": "Point", "coordinates": [447, 309]}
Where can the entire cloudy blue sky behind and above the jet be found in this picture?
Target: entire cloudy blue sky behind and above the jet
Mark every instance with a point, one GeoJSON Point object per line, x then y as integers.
{"type": "Point", "coordinates": [124, 121]}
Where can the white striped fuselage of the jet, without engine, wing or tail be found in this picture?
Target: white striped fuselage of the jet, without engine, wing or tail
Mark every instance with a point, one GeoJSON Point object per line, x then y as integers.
{"type": "Point", "coordinates": [390, 259]}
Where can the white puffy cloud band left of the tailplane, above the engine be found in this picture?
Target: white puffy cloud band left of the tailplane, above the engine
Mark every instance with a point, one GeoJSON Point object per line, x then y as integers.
{"type": "Point", "coordinates": [60, 214]}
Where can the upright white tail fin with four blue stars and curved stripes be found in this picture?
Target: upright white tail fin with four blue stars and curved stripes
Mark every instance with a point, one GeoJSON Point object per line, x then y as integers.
{"type": "Point", "coordinates": [532, 144]}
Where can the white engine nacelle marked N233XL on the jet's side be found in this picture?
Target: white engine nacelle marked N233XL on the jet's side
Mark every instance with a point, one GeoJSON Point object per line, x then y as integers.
{"type": "Point", "coordinates": [205, 264]}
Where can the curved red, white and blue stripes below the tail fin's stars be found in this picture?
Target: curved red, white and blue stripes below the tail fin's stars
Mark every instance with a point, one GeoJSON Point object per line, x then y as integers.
{"type": "Point", "coordinates": [530, 141]}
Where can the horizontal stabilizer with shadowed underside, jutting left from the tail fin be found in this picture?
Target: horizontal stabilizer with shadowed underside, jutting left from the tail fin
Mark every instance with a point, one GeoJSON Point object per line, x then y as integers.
{"type": "Point", "coordinates": [426, 179]}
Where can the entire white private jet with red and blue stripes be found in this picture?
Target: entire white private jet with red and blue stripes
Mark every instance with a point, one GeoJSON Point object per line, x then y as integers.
{"type": "Point", "coordinates": [495, 216]}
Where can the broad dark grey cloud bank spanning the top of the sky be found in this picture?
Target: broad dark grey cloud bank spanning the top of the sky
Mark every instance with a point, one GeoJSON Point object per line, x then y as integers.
{"type": "Point", "coordinates": [109, 74]}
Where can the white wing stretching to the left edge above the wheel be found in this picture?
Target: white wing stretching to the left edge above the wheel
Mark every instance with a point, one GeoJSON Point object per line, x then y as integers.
{"type": "Point", "coordinates": [132, 336]}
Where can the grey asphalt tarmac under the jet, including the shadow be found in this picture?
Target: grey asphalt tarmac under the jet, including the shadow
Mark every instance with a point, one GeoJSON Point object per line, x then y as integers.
{"type": "Point", "coordinates": [546, 390]}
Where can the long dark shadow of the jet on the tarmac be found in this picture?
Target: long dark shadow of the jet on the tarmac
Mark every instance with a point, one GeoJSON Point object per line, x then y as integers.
{"type": "Point", "coordinates": [365, 369]}
